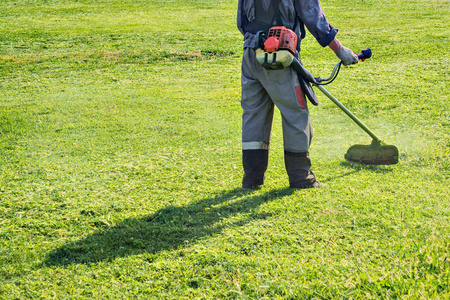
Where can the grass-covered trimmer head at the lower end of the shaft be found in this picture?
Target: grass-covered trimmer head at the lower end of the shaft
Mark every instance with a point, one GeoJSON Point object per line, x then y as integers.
{"type": "Point", "coordinates": [373, 154]}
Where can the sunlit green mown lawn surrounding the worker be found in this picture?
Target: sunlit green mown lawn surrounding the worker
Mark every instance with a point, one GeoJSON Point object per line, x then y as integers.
{"type": "Point", "coordinates": [120, 160]}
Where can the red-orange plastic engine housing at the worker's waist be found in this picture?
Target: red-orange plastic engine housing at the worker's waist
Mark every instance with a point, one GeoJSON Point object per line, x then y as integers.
{"type": "Point", "coordinates": [281, 38]}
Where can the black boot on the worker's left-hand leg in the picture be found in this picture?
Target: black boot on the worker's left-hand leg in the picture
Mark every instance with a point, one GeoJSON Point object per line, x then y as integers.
{"type": "Point", "coordinates": [255, 165]}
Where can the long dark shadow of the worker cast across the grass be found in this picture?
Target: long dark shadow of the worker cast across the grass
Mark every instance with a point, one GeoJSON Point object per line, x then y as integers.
{"type": "Point", "coordinates": [166, 229]}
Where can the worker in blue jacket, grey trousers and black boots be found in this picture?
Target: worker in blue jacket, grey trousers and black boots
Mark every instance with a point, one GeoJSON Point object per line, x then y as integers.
{"type": "Point", "coordinates": [262, 89]}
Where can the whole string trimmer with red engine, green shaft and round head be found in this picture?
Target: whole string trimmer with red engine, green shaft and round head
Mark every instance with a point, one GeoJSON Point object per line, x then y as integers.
{"type": "Point", "coordinates": [278, 51]}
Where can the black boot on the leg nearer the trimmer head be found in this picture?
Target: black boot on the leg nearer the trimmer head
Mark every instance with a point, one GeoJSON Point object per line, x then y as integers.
{"type": "Point", "coordinates": [298, 167]}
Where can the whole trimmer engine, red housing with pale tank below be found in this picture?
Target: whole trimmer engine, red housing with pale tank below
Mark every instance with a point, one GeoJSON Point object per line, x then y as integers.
{"type": "Point", "coordinates": [278, 49]}
